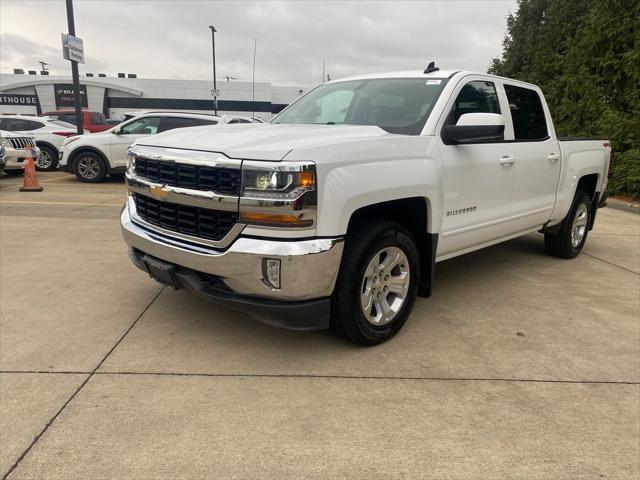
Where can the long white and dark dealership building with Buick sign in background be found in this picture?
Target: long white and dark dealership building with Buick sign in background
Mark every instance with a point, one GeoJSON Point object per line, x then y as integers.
{"type": "Point", "coordinates": [30, 94]}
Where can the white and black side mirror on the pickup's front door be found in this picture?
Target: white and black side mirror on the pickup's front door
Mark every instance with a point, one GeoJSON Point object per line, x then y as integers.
{"type": "Point", "coordinates": [475, 128]}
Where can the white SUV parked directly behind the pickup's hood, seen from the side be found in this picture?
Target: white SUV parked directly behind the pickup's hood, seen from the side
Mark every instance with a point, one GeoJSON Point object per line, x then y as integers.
{"type": "Point", "coordinates": [92, 157]}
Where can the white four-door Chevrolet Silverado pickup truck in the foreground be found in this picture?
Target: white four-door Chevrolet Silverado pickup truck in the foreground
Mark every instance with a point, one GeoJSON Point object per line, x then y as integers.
{"type": "Point", "coordinates": [335, 213]}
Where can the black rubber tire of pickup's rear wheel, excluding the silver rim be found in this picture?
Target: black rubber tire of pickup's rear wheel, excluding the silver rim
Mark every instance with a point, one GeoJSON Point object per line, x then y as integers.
{"type": "Point", "coordinates": [560, 244]}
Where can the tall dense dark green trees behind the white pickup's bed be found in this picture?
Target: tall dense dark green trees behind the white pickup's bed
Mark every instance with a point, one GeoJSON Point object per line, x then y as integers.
{"type": "Point", "coordinates": [585, 55]}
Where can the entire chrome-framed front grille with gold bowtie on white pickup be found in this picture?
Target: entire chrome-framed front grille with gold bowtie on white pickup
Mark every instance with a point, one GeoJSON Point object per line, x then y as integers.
{"type": "Point", "coordinates": [189, 195]}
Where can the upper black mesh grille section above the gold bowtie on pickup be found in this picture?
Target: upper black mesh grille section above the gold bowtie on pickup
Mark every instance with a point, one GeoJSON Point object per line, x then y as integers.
{"type": "Point", "coordinates": [225, 181]}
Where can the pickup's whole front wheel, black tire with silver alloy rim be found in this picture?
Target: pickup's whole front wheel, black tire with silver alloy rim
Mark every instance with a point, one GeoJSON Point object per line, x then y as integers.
{"type": "Point", "coordinates": [377, 284]}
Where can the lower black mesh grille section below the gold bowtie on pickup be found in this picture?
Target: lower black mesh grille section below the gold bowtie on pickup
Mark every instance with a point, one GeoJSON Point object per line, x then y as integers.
{"type": "Point", "coordinates": [184, 219]}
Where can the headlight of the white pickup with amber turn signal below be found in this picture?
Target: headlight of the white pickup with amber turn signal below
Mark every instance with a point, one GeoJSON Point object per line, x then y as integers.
{"type": "Point", "coordinates": [278, 194]}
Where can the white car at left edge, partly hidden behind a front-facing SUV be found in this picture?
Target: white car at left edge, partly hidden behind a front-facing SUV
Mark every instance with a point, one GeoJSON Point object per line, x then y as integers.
{"type": "Point", "coordinates": [49, 134]}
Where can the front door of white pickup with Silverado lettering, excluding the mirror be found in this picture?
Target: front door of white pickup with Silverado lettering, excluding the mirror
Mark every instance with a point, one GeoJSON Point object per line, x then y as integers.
{"type": "Point", "coordinates": [478, 182]}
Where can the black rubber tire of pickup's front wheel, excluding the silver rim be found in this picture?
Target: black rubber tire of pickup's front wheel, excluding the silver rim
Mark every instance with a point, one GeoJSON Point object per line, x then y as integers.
{"type": "Point", "coordinates": [362, 245]}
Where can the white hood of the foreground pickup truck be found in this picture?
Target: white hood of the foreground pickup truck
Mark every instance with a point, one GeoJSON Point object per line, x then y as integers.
{"type": "Point", "coordinates": [259, 141]}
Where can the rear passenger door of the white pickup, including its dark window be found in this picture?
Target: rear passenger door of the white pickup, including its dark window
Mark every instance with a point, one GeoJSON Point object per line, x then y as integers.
{"type": "Point", "coordinates": [537, 157]}
